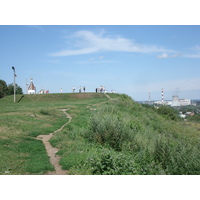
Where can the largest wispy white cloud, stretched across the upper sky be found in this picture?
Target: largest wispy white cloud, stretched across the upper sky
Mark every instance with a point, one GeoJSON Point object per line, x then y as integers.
{"type": "Point", "coordinates": [87, 42]}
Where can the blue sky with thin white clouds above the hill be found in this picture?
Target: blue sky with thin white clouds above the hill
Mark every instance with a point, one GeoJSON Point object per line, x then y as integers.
{"type": "Point", "coordinates": [129, 59]}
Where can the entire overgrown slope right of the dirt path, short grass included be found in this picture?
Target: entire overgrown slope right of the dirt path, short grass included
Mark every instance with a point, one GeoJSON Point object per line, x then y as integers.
{"type": "Point", "coordinates": [122, 137]}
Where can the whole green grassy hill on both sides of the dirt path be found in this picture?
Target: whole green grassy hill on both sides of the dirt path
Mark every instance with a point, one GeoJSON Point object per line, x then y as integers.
{"type": "Point", "coordinates": [117, 136]}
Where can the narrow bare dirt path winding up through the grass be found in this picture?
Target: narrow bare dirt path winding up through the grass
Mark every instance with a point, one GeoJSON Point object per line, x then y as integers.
{"type": "Point", "coordinates": [51, 151]}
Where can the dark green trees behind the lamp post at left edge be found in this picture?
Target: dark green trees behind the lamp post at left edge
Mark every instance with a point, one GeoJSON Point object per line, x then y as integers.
{"type": "Point", "coordinates": [8, 89]}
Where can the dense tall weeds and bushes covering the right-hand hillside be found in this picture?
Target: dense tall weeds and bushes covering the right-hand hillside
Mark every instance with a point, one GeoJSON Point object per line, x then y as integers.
{"type": "Point", "coordinates": [142, 141]}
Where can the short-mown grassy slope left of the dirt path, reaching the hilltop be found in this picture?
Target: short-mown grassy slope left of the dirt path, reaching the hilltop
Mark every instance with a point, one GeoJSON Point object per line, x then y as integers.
{"type": "Point", "coordinates": [32, 116]}
